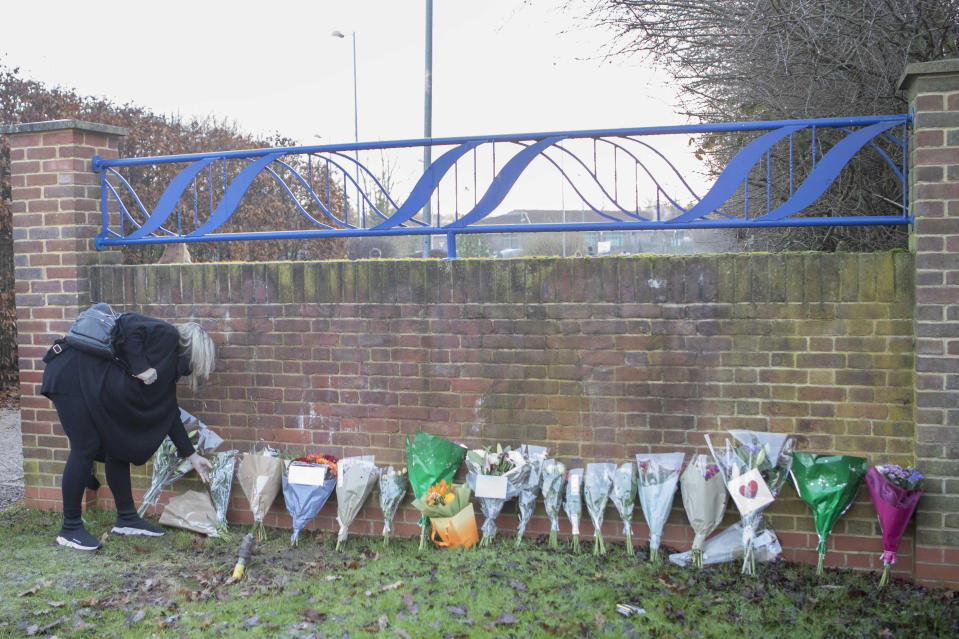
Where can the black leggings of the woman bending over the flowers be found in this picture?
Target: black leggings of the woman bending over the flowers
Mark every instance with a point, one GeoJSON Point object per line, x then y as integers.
{"type": "Point", "coordinates": [85, 448]}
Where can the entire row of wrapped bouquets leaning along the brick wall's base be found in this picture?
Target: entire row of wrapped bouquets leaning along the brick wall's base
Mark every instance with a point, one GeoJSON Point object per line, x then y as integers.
{"type": "Point", "coordinates": [751, 468]}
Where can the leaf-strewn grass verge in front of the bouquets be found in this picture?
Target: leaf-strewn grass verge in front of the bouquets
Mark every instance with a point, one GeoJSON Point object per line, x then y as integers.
{"type": "Point", "coordinates": [179, 585]}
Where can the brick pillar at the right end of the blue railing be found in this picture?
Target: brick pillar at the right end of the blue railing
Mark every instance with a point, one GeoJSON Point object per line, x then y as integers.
{"type": "Point", "coordinates": [933, 92]}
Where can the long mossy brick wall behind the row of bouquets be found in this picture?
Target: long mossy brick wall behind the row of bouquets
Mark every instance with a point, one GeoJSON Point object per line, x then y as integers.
{"type": "Point", "coordinates": [596, 358]}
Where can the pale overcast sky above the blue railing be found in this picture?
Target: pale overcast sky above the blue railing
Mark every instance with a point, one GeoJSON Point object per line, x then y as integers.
{"type": "Point", "coordinates": [499, 66]}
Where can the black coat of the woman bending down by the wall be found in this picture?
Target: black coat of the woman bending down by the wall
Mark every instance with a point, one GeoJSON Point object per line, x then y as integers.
{"type": "Point", "coordinates": [131, 417]}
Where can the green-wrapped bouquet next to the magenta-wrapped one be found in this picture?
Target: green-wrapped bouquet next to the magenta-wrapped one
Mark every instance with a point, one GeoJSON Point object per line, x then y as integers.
{"type": "Point", "coordinates": [828, 483]}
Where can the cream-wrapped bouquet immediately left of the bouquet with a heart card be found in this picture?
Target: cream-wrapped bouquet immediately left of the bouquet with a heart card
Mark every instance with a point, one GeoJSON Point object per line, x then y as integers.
{"type": "Point", "coordinates": [704, 499]}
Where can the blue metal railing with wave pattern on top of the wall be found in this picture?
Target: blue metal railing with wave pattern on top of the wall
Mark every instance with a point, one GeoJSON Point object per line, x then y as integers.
{"type": "Point", "coordinates": [617, 174]}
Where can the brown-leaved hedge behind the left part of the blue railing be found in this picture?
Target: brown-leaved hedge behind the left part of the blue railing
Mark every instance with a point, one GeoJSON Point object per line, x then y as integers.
{"type": "Point", "coordinates": [264, 207]}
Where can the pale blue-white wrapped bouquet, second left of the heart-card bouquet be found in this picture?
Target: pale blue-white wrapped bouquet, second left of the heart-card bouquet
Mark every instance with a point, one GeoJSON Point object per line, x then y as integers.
{"type": "Point", "coordinates": [658, 480]}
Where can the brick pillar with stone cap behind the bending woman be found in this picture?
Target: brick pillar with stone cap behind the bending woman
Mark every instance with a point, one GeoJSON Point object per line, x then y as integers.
{"type": "Point", "coordinates": [56, 215]}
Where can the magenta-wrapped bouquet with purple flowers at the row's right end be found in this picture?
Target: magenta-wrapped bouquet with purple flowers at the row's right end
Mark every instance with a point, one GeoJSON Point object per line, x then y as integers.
{"type": "Point", "coordinates": [895, 492]}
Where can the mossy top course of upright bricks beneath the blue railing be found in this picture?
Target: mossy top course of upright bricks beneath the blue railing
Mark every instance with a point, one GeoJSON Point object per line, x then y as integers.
{"type": "Point", "coordinates": [756, 278]}
